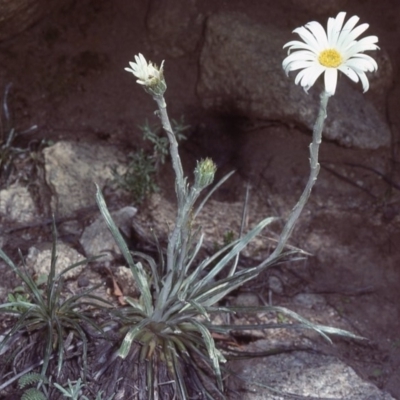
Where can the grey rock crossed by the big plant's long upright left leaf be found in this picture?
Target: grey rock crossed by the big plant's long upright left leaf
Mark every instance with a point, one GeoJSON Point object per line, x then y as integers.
{"type": "Point", "coordinates": [97, 239]}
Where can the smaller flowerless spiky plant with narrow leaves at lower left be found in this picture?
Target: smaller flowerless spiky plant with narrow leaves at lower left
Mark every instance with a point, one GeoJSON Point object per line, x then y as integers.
{"type": "Point", "coordinates": [47, 313]}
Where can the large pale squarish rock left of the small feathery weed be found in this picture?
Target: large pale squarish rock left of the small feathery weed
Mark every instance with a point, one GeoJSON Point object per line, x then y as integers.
{"type": "Point", "coordinates": [72, 169]}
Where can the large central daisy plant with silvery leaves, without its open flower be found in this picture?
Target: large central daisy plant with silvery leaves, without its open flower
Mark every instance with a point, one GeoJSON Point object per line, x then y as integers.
{"type": "Point", "coordinates": [168, 331]}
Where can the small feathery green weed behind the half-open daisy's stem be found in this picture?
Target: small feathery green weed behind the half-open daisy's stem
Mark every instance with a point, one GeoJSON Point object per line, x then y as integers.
{"type": "Point", "coordinates": [139, 179]}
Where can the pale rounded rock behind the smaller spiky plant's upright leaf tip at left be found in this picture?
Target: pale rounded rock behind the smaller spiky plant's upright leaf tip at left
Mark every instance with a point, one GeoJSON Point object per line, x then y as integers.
{"type": "Point", "coordinates": [39, 259]}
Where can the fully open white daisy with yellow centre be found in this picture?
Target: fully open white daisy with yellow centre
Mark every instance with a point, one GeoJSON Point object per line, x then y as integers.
{"type": "Point", "coordinates": [331, 51]}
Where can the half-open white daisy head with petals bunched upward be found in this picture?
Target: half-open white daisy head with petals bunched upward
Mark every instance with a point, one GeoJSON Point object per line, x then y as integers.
{"type": "Point", "coordinates": [148, 74]}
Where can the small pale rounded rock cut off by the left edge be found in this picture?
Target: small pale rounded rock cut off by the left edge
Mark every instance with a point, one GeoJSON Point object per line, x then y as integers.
{"type": "Point", "coordinates": [16, 204]}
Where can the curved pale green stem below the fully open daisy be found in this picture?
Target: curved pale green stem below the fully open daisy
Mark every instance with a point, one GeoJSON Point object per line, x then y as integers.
{"type": "Point", "coordinates": [314, 165]}
